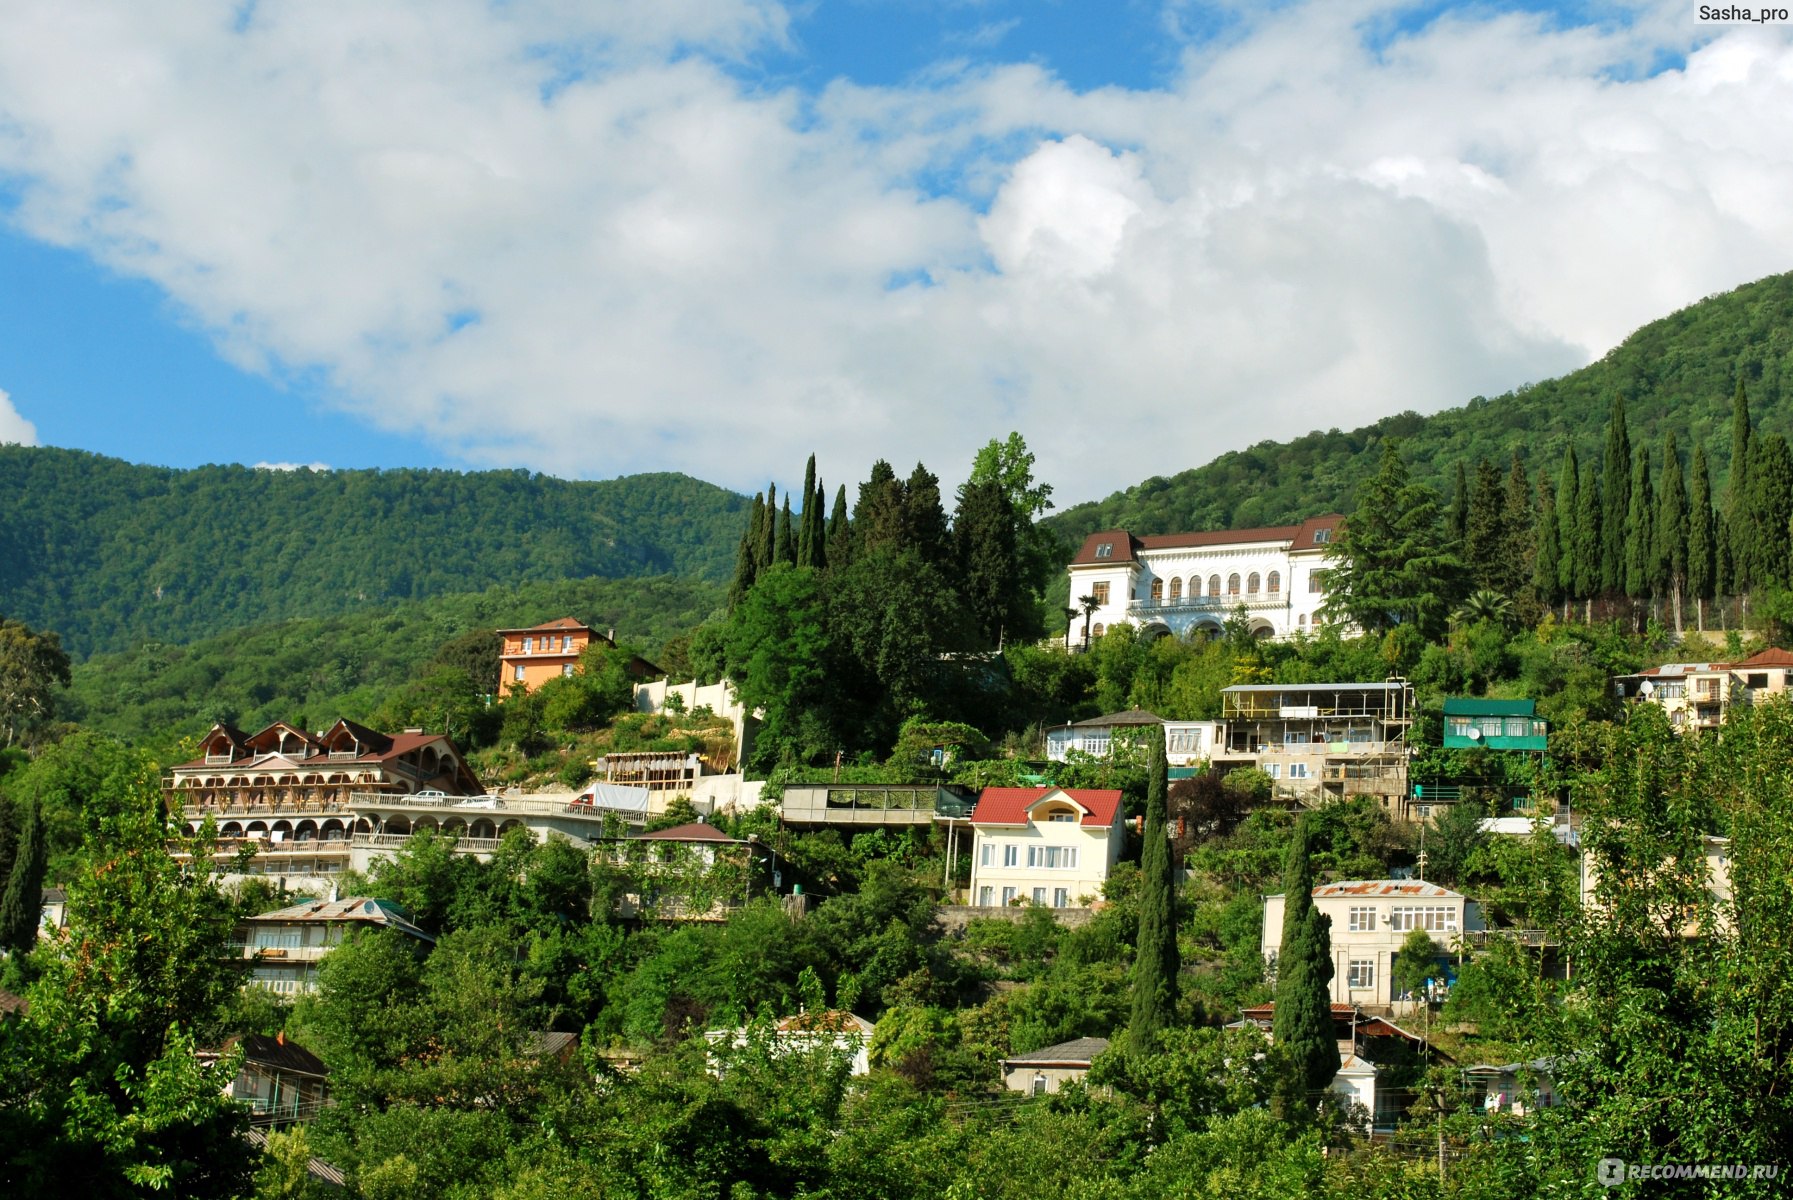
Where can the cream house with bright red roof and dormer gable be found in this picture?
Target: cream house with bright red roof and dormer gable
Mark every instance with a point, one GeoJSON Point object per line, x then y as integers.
{"type": "Point", "coordinates": [1044, 846]}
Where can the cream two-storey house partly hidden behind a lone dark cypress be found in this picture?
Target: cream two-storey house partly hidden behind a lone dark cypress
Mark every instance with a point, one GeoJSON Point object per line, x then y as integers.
{"type": "Point", "coordinates": [1371, 919]}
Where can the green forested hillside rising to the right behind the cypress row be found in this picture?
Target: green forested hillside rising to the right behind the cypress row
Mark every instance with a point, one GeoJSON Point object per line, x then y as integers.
{"type": "Point", "coordinates": [1676, 374]}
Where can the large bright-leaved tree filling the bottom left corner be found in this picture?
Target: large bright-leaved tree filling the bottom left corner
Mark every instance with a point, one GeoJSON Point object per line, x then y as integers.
{"type": "Point", "coordinates": [101, 1091]}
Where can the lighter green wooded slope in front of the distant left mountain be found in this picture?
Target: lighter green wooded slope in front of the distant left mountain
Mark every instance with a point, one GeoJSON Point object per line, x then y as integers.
{"type": "Point", "coordinates": [322, 668]}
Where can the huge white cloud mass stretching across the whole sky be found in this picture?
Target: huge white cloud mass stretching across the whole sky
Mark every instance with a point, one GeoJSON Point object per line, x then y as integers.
{"type": "Point", "coordinates": [571, 238]}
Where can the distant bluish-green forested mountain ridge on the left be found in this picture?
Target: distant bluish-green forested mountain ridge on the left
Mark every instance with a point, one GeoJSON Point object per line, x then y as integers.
{"type": "Point", "coordinates": [112, 555]}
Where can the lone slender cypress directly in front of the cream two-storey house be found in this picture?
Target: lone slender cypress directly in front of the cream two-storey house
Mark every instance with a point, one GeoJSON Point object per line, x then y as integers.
{"type": "Point", "coordinates": [1303, 1025]}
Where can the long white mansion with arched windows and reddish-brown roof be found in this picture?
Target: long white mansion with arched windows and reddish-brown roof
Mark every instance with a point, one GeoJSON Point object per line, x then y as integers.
{"type": "Point", "coordinates": [1193, 582]}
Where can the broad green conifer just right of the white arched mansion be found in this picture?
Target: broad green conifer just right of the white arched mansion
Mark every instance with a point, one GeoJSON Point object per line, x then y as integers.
{"type": "Point", "coordinates": [1394, 566]}
